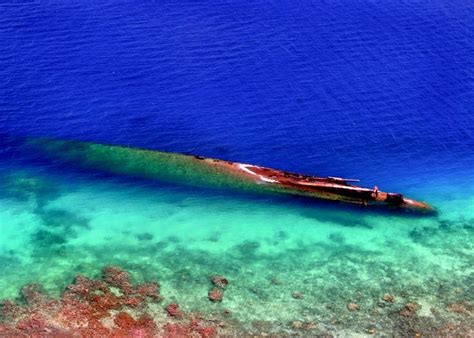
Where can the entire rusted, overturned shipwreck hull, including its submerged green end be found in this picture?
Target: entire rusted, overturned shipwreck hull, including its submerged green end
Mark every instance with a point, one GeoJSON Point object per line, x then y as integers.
{"type": "Point", "coordinates": [208, 172]}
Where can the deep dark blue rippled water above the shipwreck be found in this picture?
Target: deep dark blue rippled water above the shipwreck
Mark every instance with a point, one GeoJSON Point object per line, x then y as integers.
{"type": "Point", "coordinates": [382, 91]}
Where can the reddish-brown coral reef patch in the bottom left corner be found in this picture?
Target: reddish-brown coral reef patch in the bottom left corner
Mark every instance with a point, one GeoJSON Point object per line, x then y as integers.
{"type": "Point", "coordinates": [108, 307]}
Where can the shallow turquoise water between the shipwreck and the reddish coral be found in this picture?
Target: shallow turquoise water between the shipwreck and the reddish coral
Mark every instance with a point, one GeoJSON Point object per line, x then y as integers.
{"type": "Point", "coordinates": [57, 223]}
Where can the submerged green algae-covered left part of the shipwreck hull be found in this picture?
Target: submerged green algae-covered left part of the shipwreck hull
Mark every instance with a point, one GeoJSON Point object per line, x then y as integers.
{"type": "Point", "coordinates": [143, 163]}
